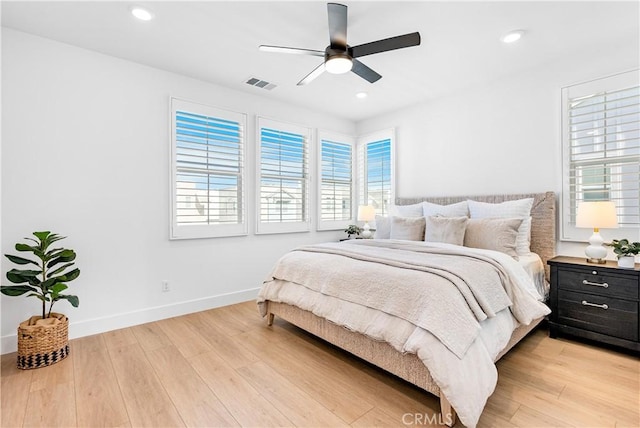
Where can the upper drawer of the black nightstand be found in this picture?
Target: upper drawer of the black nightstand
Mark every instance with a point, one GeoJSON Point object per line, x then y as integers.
{"type": "Point", "coordinates": [593, 281]}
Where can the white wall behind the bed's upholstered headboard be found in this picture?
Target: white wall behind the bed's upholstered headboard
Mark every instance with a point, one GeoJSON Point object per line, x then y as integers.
{"type": "Point", "coordinates": [504, 137]}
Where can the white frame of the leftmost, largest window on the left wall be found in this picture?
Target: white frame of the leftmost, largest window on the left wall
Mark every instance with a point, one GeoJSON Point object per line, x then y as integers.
{"type": "Point", "coordinates": [198, 231]}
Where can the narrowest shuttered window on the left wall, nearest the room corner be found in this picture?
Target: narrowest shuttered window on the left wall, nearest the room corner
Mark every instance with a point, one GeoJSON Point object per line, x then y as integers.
{"type": "Point", "coordinates": [336, 185]}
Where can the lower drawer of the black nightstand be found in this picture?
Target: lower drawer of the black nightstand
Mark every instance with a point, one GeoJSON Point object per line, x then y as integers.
{"type": "Point", "coordinates": [618, 318]}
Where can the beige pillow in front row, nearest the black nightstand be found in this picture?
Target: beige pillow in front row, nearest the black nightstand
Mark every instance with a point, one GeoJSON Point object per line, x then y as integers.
{"type": "Point", "coordinates": [498, 234]}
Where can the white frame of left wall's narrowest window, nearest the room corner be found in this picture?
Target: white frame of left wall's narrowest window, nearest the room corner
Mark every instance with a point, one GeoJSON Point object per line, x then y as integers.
{"type": "Point", "coordinates": [323, 135]}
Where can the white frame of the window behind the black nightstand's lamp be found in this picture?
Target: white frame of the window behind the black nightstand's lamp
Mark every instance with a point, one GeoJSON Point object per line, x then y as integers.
{"type": "Point", "coordinates": [611, 83]}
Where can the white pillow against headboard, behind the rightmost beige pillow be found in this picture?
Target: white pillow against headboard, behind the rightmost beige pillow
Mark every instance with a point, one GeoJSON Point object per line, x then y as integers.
{"type": "Point", "coordinates": [519, 208]}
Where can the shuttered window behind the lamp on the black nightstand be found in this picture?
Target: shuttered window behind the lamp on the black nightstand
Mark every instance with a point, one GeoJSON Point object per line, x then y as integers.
{"type": "Point", "coordinates": [601, 151]}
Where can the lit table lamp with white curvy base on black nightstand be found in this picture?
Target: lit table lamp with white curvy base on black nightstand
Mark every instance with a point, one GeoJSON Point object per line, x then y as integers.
{"type": "Point", "coordinates": [596, 215]}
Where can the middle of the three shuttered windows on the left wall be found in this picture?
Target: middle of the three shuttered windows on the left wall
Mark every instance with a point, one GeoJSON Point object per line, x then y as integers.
{"type": "Point", "coordinates": [283, 179]}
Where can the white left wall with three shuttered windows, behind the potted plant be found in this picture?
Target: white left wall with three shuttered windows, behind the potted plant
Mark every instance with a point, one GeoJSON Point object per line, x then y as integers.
{"type": "Point", "coordinates": [85, 142]}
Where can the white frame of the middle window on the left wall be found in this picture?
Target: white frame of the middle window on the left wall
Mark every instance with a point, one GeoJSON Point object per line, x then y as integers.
{"type": "Point", "coordinates": [283, 227]}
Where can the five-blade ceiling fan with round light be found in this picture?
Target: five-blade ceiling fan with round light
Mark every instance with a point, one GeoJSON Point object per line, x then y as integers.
{"type": "Point", "coordinates": [339, 57]}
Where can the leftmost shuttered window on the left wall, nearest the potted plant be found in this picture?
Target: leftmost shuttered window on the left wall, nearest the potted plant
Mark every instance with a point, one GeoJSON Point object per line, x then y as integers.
{"type": "Point", "coordinates": [207, 156]}
